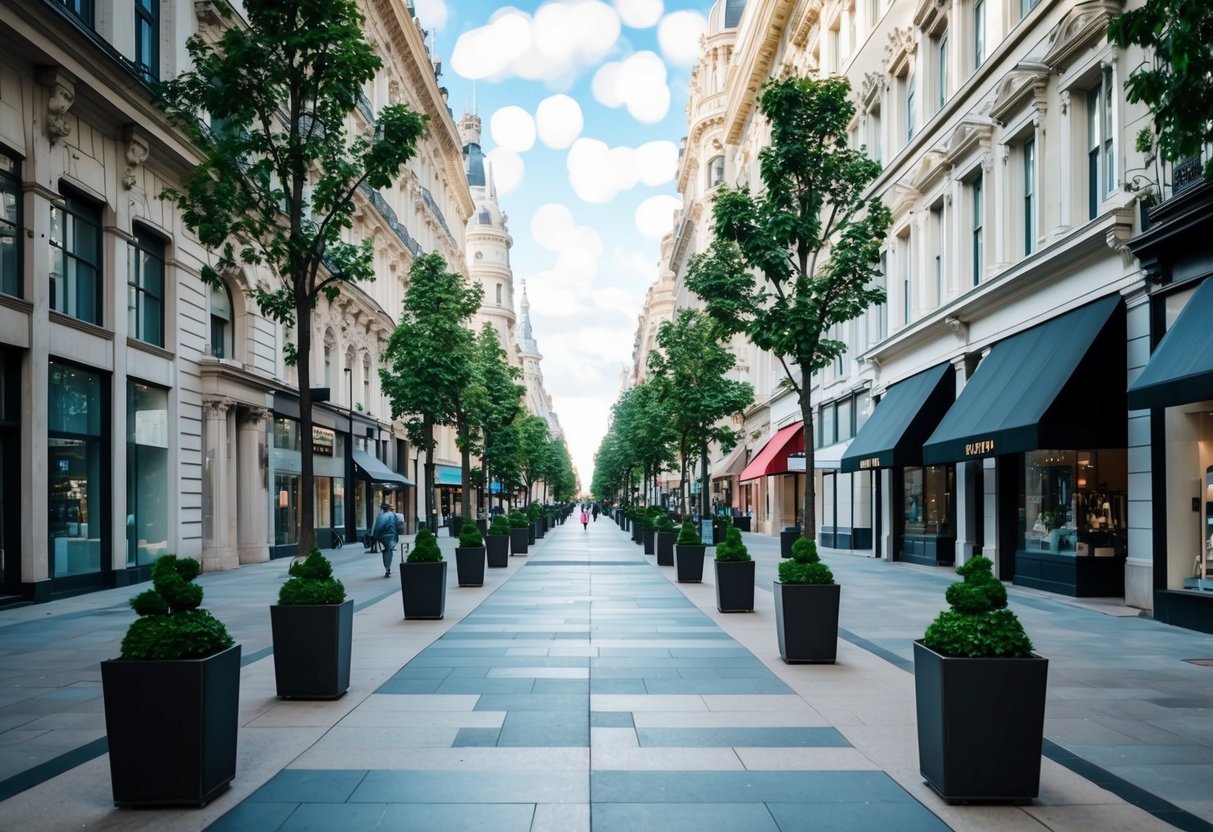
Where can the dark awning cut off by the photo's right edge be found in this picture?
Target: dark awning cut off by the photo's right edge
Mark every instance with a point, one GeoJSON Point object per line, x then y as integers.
{"type": "Point", "coordinates": [1181, 371]}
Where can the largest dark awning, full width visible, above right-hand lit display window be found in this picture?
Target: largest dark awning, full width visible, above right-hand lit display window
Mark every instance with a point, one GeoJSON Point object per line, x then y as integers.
{"type": "Point", "coordinates": [1058, 385]}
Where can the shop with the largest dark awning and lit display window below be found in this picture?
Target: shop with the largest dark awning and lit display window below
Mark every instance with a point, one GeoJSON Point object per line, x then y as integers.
{"type": "Point", "coordinates": [1049, 407]}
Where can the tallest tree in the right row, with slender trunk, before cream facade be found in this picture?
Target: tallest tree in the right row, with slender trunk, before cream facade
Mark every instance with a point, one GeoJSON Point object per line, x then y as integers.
{"type": "Point", "coordinates": [790, 263]}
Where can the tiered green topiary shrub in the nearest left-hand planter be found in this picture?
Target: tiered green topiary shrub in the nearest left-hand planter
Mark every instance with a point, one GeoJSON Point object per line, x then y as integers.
{"type": "Point", "coordinates": [170, 624]}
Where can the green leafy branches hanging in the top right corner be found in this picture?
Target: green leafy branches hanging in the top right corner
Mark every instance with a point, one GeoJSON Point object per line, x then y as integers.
{"type": "Point", "coordinates": [1177, 82]}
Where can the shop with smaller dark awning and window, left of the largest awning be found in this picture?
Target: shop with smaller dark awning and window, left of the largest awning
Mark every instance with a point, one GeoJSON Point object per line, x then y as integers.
{"type": "Point", "coordinates": [887, 453]}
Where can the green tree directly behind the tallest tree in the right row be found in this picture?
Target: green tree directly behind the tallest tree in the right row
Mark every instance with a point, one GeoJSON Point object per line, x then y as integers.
{"type": "Point", "coordinates": [690, 373]}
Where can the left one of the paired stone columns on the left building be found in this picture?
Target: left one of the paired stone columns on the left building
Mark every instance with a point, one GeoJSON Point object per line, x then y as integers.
{"type": "Point", "coordinates": [219, 554]}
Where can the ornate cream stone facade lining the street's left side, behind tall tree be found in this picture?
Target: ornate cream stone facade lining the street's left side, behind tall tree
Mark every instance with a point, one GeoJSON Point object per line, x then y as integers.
{"type": "Point", "coordinates": [143, 411]}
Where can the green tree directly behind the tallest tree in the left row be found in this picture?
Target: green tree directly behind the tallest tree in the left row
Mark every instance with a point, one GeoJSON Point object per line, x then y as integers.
{"type": "Point", "coordinates": [430, 355]}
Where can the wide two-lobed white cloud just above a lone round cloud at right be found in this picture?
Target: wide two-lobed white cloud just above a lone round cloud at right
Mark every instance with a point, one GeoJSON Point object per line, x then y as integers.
{"type": "Point", "coordinates": [599, 173]}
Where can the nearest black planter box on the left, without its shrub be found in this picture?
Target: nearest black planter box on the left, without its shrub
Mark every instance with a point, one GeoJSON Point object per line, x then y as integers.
{"type": "Point", "coordinates": [172, 728]}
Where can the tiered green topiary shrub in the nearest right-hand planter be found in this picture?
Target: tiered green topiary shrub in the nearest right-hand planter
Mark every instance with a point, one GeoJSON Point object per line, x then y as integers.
{"type": "Point", "coordinates": [979, 625]}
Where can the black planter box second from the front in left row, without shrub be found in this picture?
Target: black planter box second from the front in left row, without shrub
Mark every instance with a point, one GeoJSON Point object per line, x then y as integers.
{"type": "Point", "coordinates": [312, 649]}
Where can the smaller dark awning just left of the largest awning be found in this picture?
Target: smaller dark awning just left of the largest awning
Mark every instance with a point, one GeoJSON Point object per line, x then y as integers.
{"type": "Point", "coordinates": [910, 411]}
